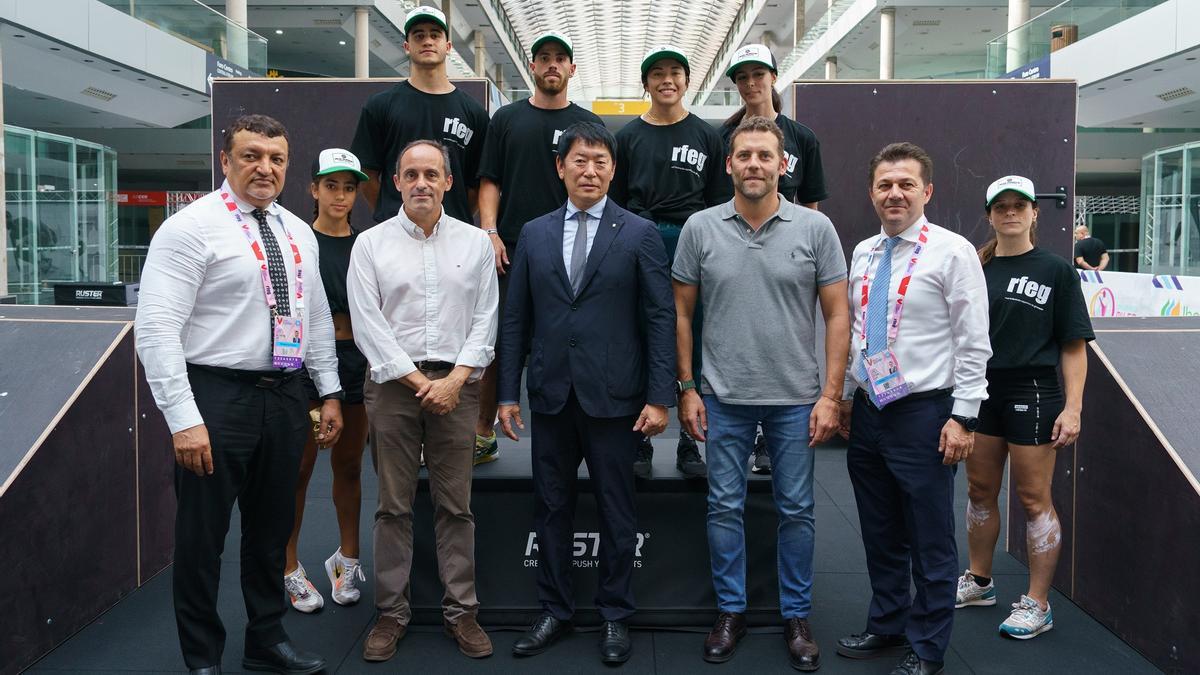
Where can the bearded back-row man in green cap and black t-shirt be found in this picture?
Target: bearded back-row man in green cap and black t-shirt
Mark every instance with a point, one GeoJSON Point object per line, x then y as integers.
{"type": "Point", "coordinates": [519, 182]}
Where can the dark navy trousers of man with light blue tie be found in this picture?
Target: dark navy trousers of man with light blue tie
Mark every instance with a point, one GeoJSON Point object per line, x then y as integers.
{"type": "Point", "coordinates": [905, 500]}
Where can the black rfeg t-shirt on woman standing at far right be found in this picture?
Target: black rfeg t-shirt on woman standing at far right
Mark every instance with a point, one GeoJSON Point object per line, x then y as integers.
{"type": "Point", "coordinates": [1036, 304]}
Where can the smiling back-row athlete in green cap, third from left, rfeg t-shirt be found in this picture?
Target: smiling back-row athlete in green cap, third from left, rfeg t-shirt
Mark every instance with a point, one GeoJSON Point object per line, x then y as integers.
{"type": "Point", "coordinates": [670, 165]}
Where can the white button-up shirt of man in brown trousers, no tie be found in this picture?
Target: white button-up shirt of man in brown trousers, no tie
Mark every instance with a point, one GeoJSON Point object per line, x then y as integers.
{"type": "Point", "coordinates": [416, 298]}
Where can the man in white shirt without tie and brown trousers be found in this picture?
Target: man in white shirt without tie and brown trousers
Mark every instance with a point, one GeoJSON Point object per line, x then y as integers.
{"type": "Point", "coordinates": [424, 296]}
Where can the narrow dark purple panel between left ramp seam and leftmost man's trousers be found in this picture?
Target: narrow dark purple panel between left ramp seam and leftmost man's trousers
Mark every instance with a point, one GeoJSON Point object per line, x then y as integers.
{"type": "Point", "coordinates": [157, 476]}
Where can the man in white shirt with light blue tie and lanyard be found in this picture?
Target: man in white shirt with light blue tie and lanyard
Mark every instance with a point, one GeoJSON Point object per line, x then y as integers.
{"type": "Point", "coordinates": [919, 357]}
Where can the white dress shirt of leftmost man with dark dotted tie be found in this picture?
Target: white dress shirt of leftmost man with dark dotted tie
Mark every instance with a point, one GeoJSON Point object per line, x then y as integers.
{"type": "Point", "coordinates": [202, 302]}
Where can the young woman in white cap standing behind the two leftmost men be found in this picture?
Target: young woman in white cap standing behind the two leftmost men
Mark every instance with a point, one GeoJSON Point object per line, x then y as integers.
{"type": "Point", "coordinates": [337, 176]}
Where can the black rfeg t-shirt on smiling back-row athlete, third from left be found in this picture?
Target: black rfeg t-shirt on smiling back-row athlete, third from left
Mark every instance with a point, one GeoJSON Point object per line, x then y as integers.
{"type": "Point", "coordinates": [667, 174]}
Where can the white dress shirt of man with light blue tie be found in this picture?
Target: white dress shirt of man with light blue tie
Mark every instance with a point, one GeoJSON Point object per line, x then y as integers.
{"type": "Point", "coordinates": [943, 342]}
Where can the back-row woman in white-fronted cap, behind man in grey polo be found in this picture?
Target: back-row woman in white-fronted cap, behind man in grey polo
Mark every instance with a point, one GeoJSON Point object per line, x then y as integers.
{"type": "Point", "coordinates": [754, 71]}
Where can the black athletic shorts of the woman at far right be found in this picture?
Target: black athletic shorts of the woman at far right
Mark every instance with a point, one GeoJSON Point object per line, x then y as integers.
{"type": "Point", "coordinates": [1022, 407]}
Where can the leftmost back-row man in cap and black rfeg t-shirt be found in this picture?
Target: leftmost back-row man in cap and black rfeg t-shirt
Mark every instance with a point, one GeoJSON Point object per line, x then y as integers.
{"type": "Point", "coordinates": [427, 106]}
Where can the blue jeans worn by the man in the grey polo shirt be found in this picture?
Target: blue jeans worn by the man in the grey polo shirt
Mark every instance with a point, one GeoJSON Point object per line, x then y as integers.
{"type": "Point", "coordinates": [731, 434]}
